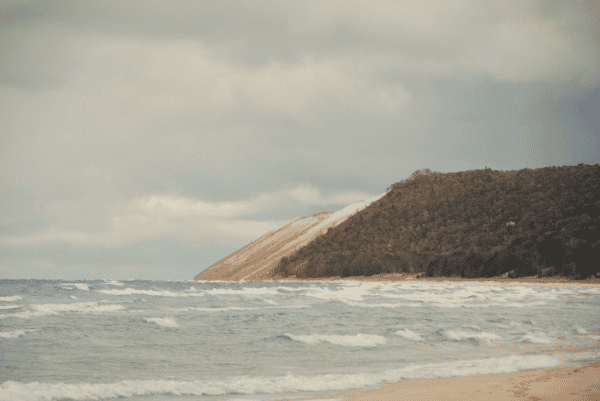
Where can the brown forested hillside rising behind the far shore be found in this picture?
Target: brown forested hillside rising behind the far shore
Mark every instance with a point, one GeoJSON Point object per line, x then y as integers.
{"type": "Point", "coordinates": [479, 223]}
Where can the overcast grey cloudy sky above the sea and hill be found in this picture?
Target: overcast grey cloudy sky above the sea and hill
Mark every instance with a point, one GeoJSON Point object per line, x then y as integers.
{"type": "Point", "coordinates": [150, 139]}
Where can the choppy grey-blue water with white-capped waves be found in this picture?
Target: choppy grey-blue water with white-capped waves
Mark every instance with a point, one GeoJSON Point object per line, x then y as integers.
{"type": "Point", "coordinates": [187, 340]}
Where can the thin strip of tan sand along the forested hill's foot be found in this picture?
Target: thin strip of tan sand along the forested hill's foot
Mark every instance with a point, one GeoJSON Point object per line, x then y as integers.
{"type": "Point", "coordinates": [412, 277]}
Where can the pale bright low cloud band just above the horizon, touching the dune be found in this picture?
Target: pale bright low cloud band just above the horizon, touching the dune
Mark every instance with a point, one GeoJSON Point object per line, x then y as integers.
{"type": "Point", "coordinates": [187, 219]}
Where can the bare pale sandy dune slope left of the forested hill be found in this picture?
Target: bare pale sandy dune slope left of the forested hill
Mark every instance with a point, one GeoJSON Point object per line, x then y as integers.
{"type": "Point", "coordinates": [258, 260]}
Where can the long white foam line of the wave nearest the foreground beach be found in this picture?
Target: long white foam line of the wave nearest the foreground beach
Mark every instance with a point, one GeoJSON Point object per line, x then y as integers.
{"type": "Point", "coordinates": [18, 391]}
